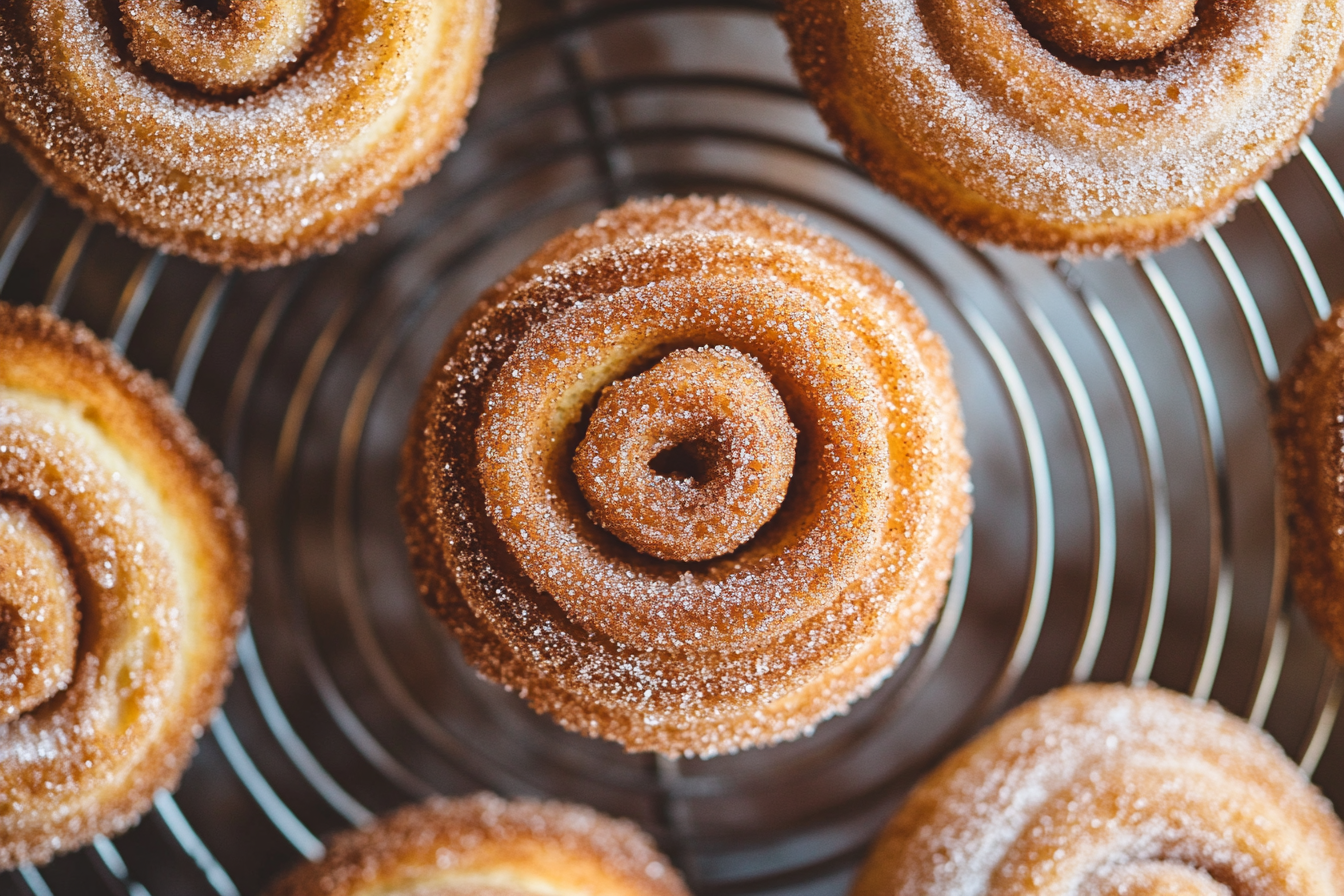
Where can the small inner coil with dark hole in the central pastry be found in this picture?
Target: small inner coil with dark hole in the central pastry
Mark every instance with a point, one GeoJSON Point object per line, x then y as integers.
{"type": "Point", "coordinates": [689, 460]}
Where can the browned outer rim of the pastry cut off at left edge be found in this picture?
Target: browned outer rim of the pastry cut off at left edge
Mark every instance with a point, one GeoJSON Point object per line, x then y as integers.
{"type": "Point", "coordinates": [44, 354]}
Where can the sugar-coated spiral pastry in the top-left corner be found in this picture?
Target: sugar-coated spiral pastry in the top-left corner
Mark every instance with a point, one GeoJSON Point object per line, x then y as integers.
{"type": "Point", "coordinates": [249, 138]}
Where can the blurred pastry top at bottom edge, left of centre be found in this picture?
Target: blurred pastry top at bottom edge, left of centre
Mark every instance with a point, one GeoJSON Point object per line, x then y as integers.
{"type": "Point", "coordinates": [489, 847]}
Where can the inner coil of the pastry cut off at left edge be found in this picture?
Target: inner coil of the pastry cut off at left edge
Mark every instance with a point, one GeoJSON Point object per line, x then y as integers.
{"type": "Point", "coordinates": [40, 616]}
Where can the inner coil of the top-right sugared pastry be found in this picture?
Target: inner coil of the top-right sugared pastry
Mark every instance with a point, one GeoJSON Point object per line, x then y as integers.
{"type": "Point", "coordinates": [1109, 30]}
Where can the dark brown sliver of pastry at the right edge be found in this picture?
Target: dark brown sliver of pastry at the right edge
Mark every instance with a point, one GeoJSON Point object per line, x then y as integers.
{"type": "Point", "coordinates": [1310, 432]}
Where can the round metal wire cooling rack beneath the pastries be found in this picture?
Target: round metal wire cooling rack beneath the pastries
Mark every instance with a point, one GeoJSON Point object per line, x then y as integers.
{"type": "Point", "coordinates": [1127, 522]}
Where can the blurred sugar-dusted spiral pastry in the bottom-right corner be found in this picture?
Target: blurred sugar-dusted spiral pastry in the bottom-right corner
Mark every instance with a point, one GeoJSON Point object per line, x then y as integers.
{"type": "Point", "coordinates": [1112, 792]}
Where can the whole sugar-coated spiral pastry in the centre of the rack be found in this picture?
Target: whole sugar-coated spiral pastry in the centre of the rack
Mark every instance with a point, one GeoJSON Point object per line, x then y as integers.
{"type": "Point", "coordinates": [691, 479]}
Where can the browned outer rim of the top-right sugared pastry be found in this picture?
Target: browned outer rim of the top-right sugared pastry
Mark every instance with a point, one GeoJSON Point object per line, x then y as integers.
{"type": "Point", "coordinates": [816, 48]}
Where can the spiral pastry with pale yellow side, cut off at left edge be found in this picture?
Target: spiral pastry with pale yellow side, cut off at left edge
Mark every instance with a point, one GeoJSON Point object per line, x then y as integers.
{"type": "Point", "coordinates": [123, 574]}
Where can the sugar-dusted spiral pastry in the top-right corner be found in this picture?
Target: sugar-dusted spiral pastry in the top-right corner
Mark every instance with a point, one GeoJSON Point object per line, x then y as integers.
{"type": "Point", "coordinates": [1069, 127]}
